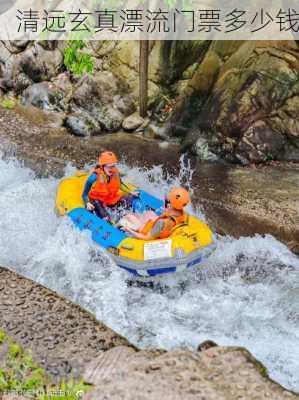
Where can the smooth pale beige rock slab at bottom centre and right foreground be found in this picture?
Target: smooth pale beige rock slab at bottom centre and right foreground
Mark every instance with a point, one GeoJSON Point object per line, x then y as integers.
{"type": "Point", "coordinates": [212, 374]}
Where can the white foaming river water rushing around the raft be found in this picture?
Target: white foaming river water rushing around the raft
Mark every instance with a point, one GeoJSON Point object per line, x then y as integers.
{"type": "Point", "coordinates": [246, 295]}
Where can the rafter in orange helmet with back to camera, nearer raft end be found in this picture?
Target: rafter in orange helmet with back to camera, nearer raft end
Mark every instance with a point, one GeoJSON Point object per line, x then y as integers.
{"type": "Point", "coordinates": [150, 226]}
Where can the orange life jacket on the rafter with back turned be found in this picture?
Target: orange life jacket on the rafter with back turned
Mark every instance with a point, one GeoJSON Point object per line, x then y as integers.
{"type": "Point", "coordinates": [170, 222]}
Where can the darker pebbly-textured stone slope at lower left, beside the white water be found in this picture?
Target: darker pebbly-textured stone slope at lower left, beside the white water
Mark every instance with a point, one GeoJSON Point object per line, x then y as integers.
{"type": "Point", "coordinates": [61, 354]}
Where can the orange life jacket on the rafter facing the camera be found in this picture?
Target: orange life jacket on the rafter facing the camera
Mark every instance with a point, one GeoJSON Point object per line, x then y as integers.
{"type": "Point", "coordinates": [106, 189]}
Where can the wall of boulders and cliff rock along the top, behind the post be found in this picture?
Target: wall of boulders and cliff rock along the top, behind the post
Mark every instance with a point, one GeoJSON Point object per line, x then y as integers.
{"type": "Point", "coordinates": [238, 99]}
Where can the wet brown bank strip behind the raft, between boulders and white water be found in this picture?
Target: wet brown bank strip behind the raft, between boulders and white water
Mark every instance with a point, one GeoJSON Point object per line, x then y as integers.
{"type": "Point", "coordinates": [237, 201]}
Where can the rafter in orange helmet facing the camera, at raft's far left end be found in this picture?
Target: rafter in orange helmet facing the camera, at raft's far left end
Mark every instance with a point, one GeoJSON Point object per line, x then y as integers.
{"type": "Point", "coordinates": [104, 192]}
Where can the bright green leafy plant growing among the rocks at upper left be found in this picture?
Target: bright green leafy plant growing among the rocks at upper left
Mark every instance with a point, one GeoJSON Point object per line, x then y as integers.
{"type": "Point", "coordinates": [77, 61]}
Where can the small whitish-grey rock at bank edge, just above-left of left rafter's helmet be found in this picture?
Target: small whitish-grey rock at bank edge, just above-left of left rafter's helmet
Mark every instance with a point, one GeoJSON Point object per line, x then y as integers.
{"type": "Point", "coordinates": [82, 125]}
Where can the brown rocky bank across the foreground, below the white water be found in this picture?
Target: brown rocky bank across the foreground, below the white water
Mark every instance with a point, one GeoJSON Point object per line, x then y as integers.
{"type": "Point", "coordinates": [67, 341]}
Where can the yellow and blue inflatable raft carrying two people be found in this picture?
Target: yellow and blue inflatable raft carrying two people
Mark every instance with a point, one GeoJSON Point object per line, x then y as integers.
{"type": "Point", "coordinates": [188, 245]}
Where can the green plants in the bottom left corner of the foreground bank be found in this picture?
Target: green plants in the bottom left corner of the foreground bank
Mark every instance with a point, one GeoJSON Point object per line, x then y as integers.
{"type": "Point", "coordinates": [20, 374]}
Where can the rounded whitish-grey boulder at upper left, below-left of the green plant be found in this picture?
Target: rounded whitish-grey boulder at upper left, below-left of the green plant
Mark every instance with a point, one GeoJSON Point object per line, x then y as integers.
{"type": "Point", "coordinates": [44, 95]}
